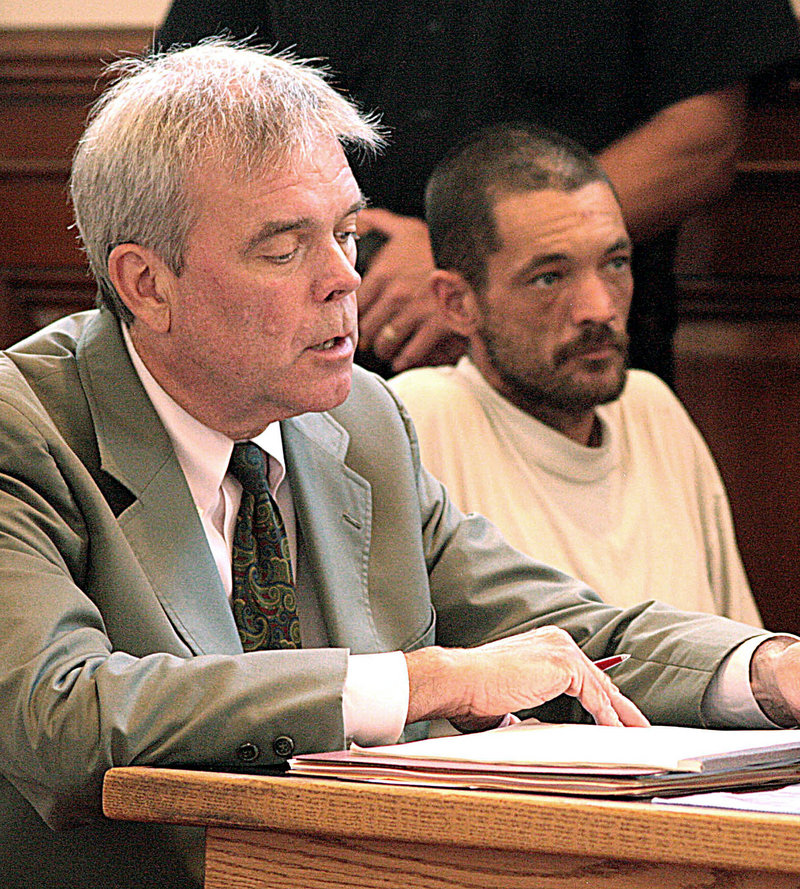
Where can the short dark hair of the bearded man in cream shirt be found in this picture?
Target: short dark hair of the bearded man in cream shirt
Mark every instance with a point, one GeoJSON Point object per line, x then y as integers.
{"type": "Point", "coordinates": [492, 163]}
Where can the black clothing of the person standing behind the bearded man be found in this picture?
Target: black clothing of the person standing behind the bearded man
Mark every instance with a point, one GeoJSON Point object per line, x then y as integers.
{"type": "Point", "coordinates": [592, 69]}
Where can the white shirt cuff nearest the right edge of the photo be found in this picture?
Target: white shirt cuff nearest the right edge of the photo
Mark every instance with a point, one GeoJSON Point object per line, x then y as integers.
{"type": "Point", "coordinates": [729, 701]}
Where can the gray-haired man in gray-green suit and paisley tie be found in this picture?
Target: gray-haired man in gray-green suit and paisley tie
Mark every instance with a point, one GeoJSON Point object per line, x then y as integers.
{"type": "Point", "coordinates": [217, 544]}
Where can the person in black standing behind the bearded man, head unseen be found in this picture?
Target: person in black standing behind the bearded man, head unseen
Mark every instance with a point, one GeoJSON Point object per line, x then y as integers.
{"type": "Point", "coordinates": [657, 90]}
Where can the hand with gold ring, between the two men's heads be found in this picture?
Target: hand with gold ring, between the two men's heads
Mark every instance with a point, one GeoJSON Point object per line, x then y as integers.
{"type": "Point", "coordinates": [398, 316]}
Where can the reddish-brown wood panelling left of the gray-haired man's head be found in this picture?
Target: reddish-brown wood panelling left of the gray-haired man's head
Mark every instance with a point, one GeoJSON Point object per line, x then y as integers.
{"type": "Point", "coordinates": [48, 80]}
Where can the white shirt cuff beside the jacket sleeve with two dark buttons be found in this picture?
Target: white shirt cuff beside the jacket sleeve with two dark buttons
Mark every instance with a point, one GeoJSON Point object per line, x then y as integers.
{"type": "Point", "coordinates": [375, 698]}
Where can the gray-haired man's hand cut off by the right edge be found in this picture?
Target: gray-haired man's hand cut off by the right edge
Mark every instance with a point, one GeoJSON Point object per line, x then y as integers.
{"type": "Point", "coordinates": [775, 679]}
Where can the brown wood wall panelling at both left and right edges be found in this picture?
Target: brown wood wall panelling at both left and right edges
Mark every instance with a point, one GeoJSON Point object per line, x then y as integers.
{"type": "Point", "coordinates": [738, 343]}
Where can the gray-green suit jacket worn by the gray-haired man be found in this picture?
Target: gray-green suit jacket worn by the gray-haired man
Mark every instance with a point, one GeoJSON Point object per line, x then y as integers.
{"type": "Point", "coordinates": [117, 644]}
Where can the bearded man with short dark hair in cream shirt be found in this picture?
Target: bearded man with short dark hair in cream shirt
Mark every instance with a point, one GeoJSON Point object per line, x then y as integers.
{"type": "Point", "coordinates": [581, 463]}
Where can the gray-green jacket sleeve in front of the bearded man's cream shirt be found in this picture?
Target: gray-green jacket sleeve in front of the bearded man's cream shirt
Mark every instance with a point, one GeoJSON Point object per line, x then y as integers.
{"type": "Point", "coordinates": [481, 589]}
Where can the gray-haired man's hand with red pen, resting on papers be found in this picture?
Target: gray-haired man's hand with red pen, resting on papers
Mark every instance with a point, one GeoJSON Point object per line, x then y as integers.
{"type": "Point", "coordinates": [472, 687]}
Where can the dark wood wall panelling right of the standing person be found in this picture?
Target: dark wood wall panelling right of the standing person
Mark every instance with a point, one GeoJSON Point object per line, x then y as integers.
{"type": "Point", "coordinates": [738, 344]}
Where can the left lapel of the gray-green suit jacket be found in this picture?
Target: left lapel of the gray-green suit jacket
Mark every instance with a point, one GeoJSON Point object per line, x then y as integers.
{"type": "Point", "coordinates": [162, 526]}
